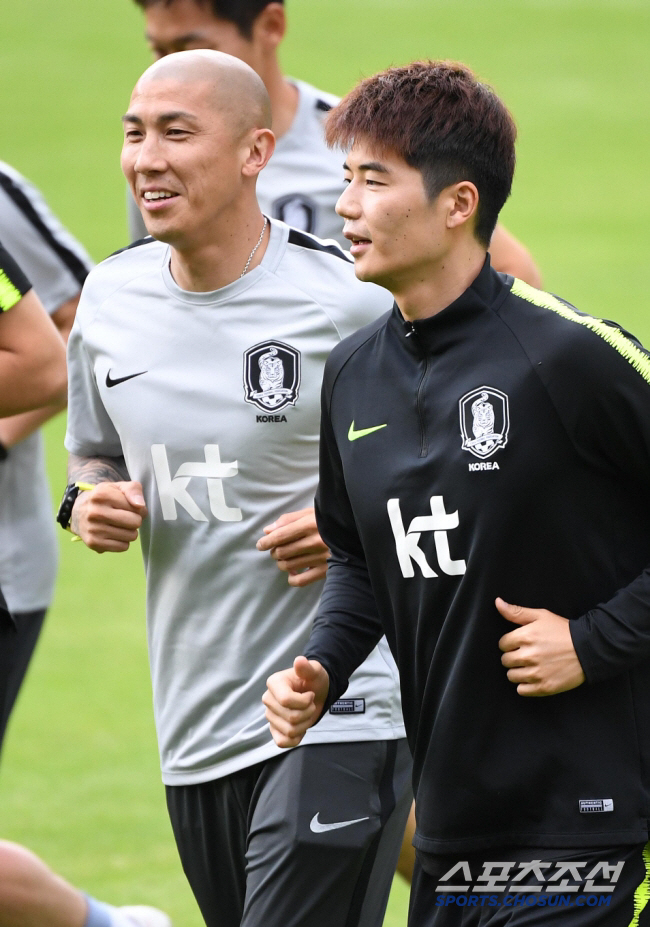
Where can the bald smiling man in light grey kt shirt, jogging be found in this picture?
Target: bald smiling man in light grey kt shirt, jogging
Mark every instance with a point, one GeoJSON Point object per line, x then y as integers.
{"type": "Point", "coordinates": [195, 368]}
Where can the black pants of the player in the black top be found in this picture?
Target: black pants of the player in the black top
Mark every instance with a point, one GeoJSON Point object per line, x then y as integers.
{"type": "Point", "coordinates": [533, 887]}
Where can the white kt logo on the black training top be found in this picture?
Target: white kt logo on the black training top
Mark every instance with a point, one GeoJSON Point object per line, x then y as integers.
{"type": "Point", "coordinates": [406, 542]}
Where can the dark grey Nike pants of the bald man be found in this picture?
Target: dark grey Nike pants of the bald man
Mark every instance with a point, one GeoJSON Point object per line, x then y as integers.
{"type": "Point", "coordinates": [309, 837]}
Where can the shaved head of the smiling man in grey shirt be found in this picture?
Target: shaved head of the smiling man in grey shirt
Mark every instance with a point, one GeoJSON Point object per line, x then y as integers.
{"type": "Point", "coordinates": [196, 135]}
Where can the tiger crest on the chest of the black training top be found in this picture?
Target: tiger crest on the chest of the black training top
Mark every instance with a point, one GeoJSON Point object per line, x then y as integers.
{"type": "Point", "coordinates": [484, 421]}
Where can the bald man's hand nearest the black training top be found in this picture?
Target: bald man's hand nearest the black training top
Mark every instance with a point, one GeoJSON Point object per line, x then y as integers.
{"type": "Point", "coordinates": [294, 542]}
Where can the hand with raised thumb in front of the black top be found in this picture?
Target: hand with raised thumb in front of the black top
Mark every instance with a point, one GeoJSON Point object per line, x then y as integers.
{"type": "Point", "coordinates": [539, 655]}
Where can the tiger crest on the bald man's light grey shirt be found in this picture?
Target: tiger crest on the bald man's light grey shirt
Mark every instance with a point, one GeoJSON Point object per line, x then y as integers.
{"type": "Point", "coordinates": [271, 375]}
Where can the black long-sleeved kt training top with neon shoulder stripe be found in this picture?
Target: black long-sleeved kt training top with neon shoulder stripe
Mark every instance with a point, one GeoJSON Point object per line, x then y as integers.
{"type": "Point", "coordinates": [498, 448]}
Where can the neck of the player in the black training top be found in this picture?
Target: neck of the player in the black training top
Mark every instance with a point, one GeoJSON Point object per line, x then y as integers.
{"type": "Point", "coordinates": [428, 293]}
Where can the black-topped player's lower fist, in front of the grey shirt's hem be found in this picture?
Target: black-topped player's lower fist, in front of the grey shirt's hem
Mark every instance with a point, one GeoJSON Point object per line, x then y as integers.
{"type": "Point", "coordinates": [294, 700]}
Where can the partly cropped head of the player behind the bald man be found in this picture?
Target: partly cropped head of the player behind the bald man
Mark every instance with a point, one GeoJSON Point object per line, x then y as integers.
{"type": "Point", "coordinates": [249, 29]}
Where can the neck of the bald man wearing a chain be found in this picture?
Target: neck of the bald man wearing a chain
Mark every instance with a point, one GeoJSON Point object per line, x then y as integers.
{"type": "Point", "coordinates": [211, 264]}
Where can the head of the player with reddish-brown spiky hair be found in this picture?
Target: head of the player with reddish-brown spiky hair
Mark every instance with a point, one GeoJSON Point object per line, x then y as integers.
{"type": "Point", "coordinates": [431, 161]}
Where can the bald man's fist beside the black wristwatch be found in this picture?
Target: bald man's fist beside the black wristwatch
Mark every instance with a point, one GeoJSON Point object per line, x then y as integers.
{"type": "Point", "coordinates": [108, 517]}
